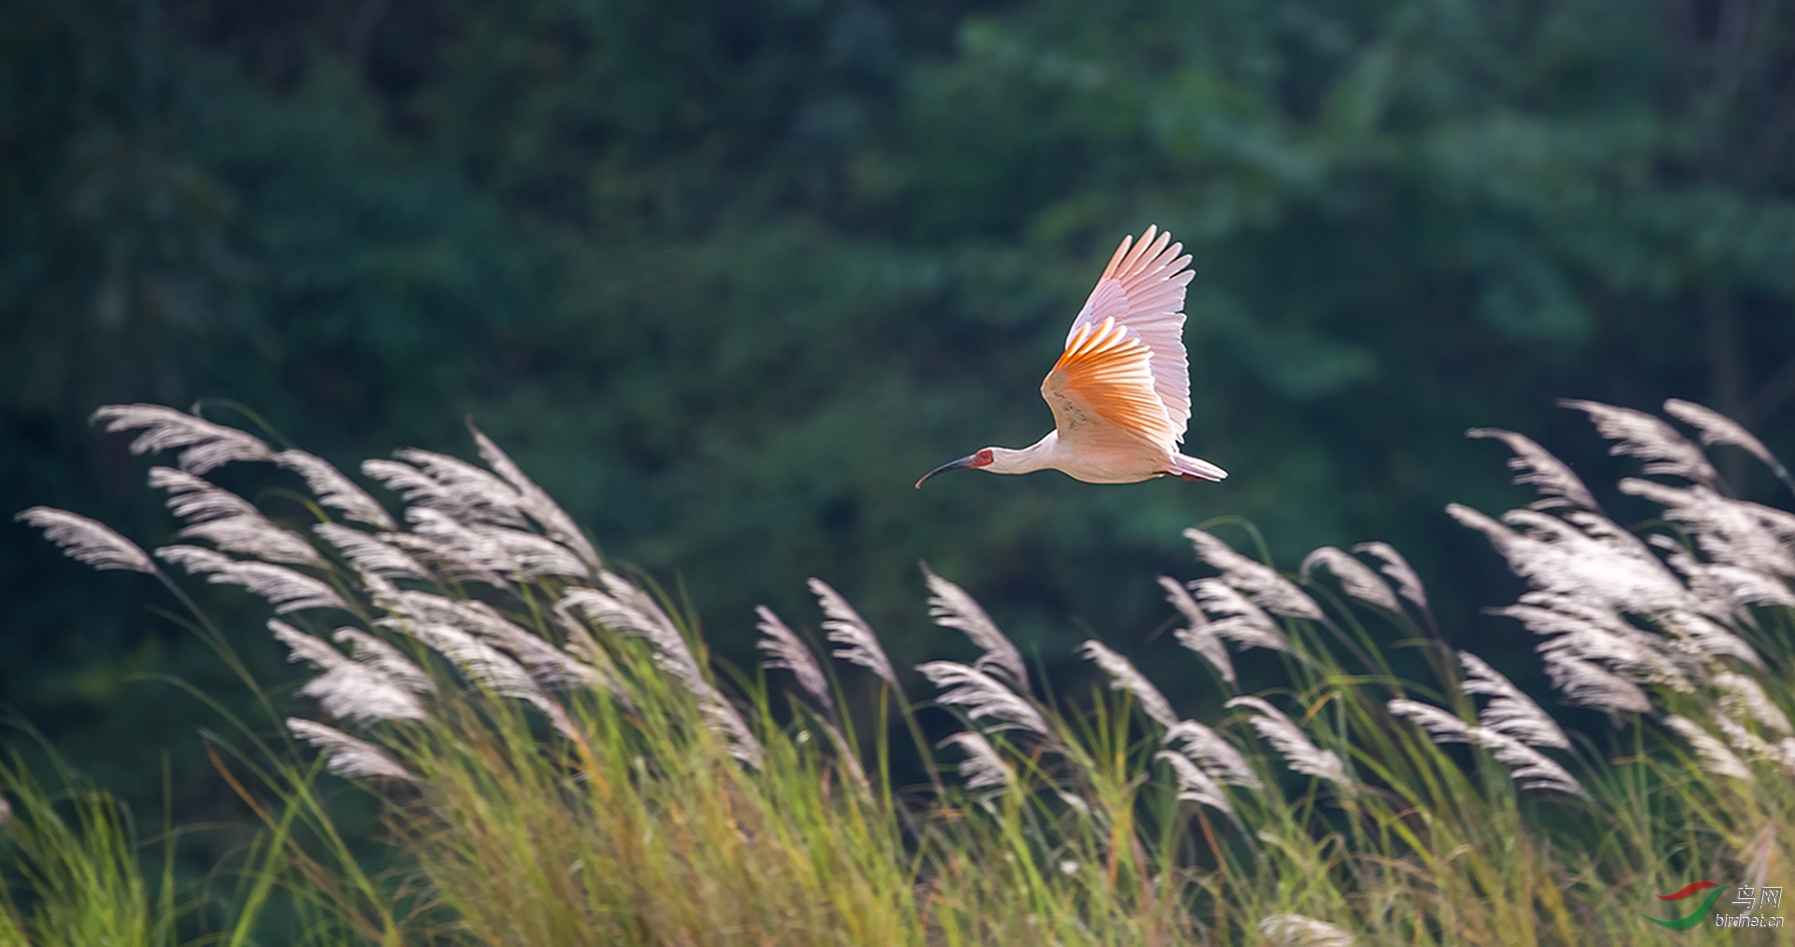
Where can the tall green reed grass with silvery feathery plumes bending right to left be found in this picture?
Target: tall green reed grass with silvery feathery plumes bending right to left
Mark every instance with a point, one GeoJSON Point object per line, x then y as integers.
{"type": "Point", "coordinates": [559, 761]}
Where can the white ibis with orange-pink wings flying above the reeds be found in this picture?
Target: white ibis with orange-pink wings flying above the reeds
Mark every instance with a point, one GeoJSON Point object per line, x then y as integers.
{"type": "Point", "coordinates": [1121, 392]}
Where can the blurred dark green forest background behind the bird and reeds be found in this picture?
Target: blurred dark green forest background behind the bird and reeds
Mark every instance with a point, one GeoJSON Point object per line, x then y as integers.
{"type": "Point", "coordinates": [726, 277]}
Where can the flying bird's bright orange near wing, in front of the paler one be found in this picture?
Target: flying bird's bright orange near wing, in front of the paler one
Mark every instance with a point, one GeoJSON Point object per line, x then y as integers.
{"type": "Point", "coordinates": [1103, 392]}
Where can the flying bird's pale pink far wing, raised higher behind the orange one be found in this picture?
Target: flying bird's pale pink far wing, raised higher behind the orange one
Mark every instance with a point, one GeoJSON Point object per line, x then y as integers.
{"type": "Point", "coordinates": [1144, 291]}
